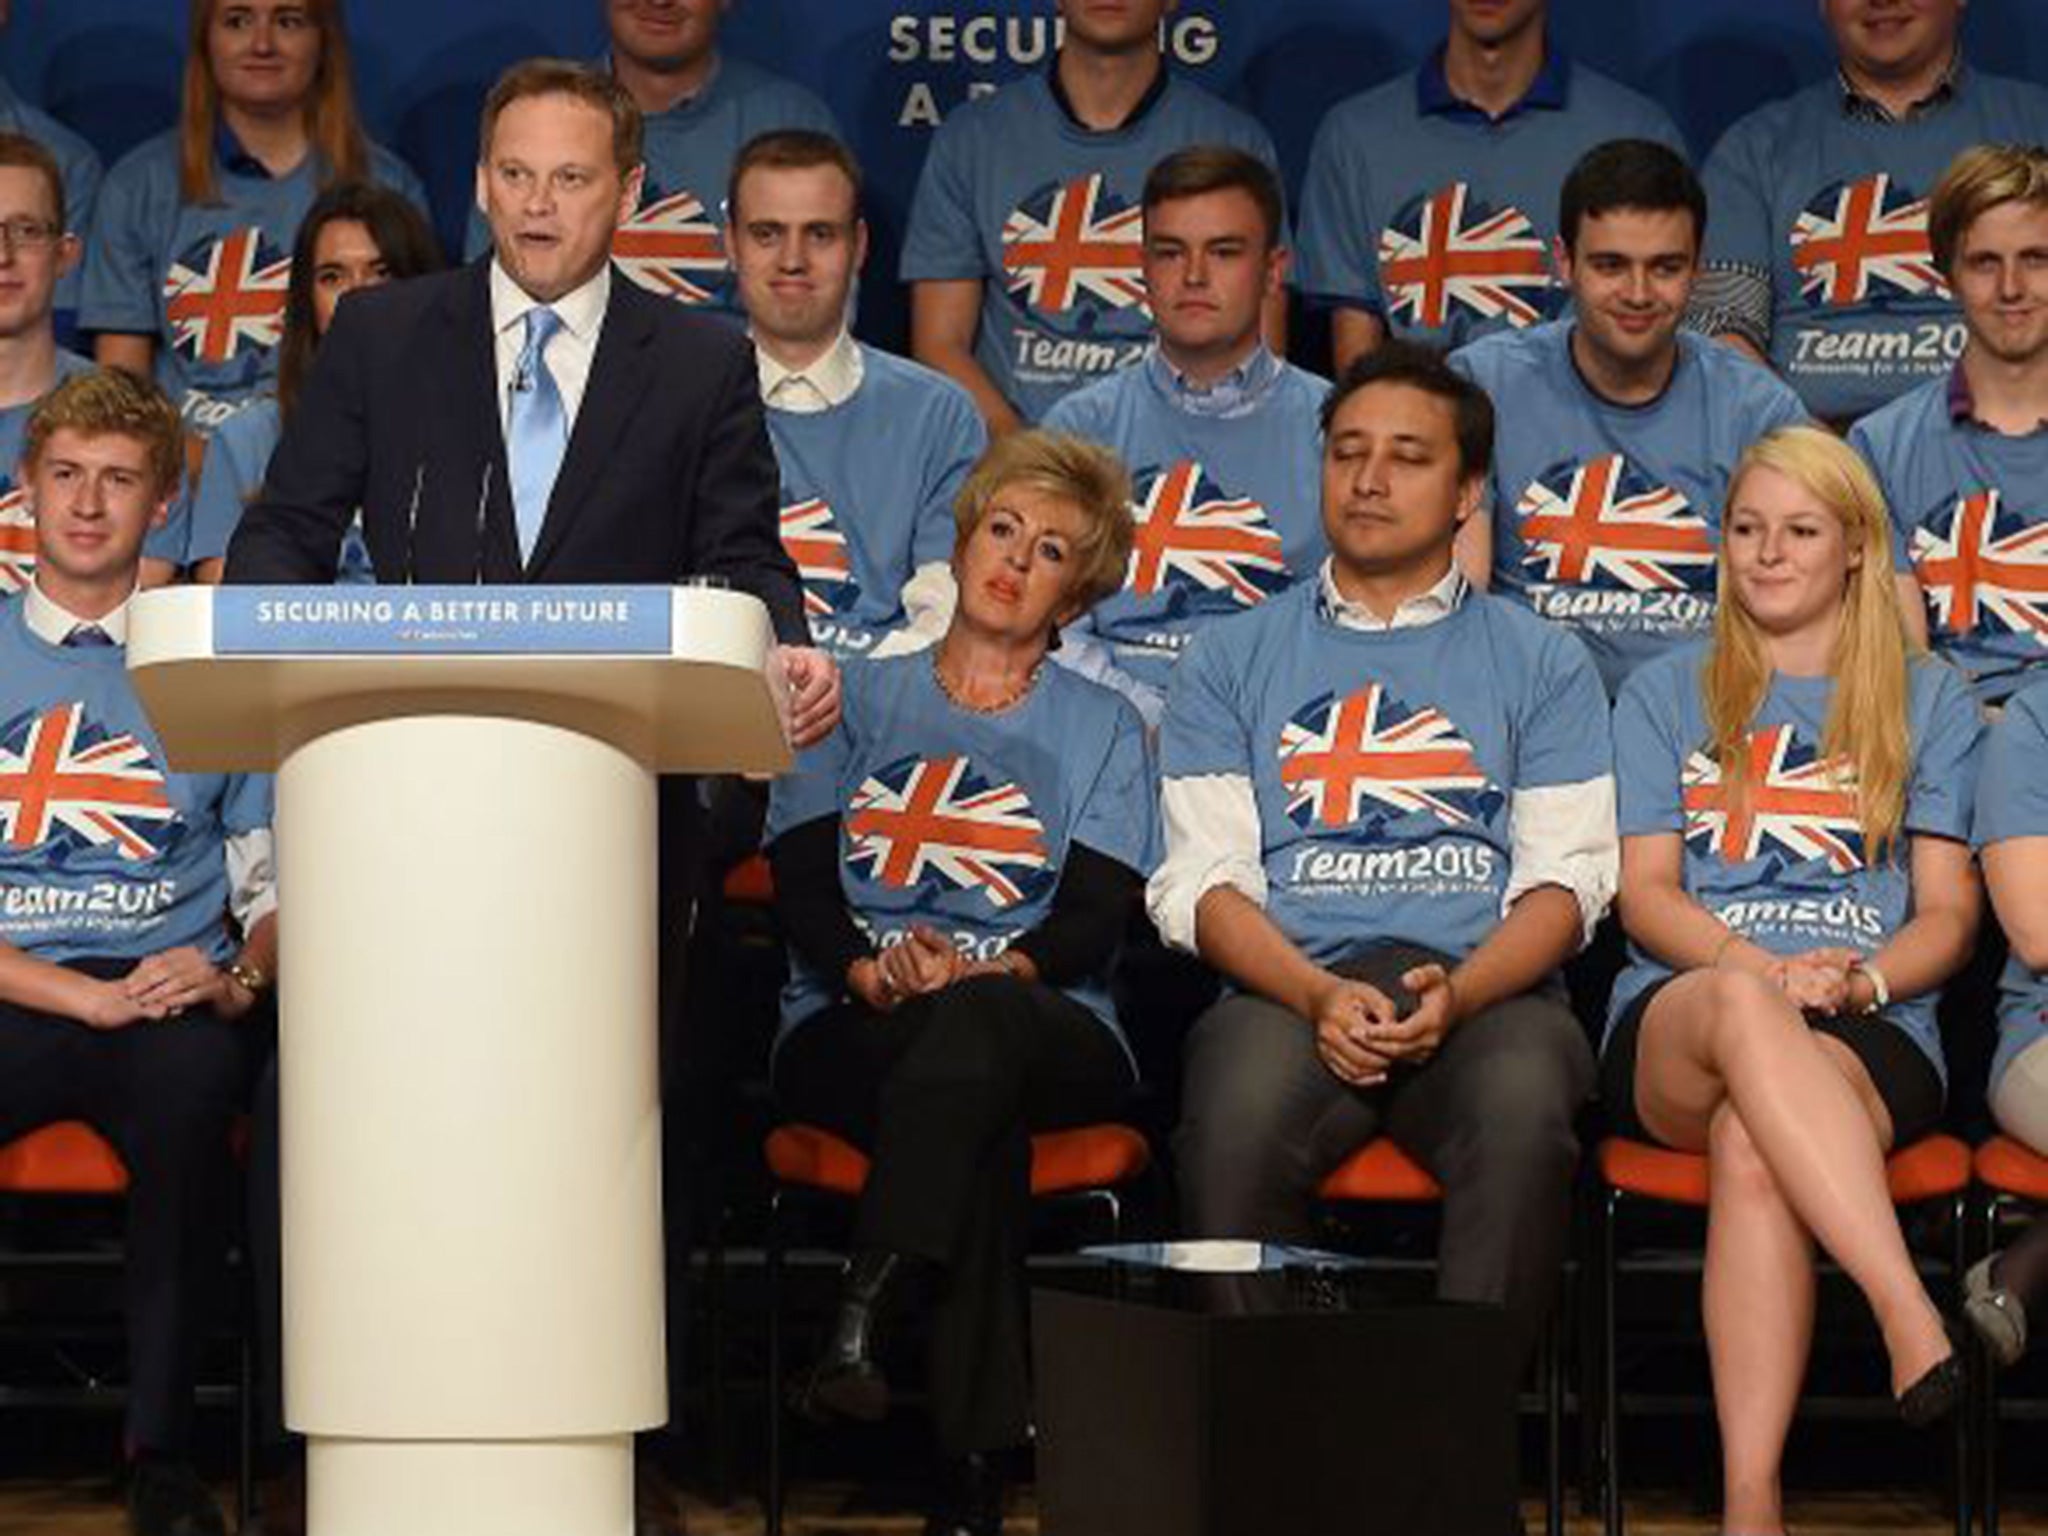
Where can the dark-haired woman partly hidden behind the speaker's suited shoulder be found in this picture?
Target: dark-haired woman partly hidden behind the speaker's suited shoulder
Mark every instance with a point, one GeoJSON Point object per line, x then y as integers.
{"type": "Point", "coordinates": [355, 237]}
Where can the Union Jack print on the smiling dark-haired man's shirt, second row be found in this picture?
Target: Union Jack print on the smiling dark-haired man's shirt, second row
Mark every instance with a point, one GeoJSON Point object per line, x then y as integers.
{"type": "Point", "coordinates": [1607, 523]}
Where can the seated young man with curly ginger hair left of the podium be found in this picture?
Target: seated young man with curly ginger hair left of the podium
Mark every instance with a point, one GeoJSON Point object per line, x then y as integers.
{"type": "Point", "coordinates": [122, 892]}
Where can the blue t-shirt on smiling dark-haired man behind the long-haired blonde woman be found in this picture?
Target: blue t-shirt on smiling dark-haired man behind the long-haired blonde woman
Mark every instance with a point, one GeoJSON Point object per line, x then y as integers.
{"type": "Point", "coordinates": [1607, 517]}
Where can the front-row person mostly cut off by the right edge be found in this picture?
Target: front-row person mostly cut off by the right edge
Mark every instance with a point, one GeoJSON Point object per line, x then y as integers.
{"type": "Point", "coordinates": [2010, 1291]}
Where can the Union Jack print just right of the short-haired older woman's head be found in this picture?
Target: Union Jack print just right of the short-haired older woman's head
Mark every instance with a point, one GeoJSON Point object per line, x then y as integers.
{"type": "Point", "coordinates": [1193, 536]}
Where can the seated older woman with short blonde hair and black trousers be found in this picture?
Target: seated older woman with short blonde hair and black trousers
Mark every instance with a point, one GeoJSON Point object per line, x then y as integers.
{"type": "Point", "coordinates": [953, 869]}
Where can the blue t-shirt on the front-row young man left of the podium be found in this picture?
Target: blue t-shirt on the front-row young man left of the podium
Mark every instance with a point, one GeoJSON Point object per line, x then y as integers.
{"type": "Point", "coordinates": [105, 853]}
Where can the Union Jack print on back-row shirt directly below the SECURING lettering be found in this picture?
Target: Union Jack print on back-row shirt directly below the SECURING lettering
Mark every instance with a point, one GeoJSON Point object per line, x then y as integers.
{"type": "Point", "coordinates": [1072, 245]}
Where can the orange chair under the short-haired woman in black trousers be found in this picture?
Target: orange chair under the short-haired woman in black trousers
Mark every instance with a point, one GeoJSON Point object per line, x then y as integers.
{"type": "Point", "coordinates": [1084, 1166]}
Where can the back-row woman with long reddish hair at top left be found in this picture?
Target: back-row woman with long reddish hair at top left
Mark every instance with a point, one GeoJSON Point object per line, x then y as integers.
{"type": "Point", "coordinates": [187, 263]}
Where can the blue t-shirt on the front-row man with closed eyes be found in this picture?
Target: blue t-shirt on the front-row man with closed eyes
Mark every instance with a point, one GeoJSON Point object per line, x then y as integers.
{"type": "Point", "coordinates": [1385, 761]}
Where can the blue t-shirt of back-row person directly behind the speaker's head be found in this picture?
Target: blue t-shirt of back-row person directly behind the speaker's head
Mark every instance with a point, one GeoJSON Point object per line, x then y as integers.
{"type": "Point", "coordinates": [675, 243]}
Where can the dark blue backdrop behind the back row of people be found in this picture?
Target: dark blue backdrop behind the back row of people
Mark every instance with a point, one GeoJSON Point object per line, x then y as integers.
{"type": "Point", "coordinates": [110, 69]}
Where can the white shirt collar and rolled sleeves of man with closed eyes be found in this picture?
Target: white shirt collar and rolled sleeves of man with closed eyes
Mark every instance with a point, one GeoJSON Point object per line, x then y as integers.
{"type": "Point", "coordinates": [1560, 835]}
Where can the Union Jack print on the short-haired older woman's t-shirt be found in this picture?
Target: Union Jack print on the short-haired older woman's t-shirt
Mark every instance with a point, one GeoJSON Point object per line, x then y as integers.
{"type": "Point", "coordinates": [935, 822]}
